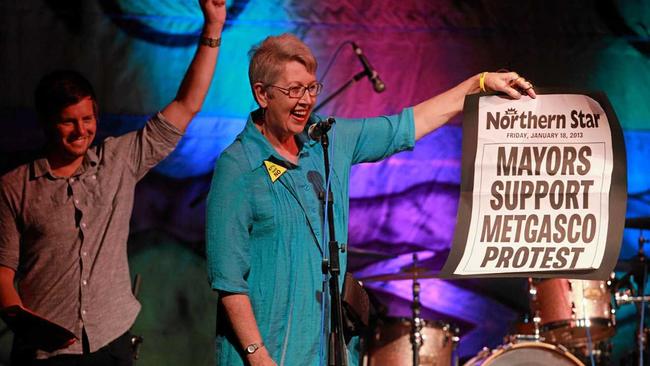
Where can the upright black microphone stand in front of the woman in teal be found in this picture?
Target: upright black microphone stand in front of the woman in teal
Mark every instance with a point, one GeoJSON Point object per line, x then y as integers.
{"type": "Point", "coordinates": [337, 355]}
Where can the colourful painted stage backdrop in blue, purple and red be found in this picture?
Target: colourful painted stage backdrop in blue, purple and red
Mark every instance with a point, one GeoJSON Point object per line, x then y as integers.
{"type": "Point", "coordinates": [135, 53]}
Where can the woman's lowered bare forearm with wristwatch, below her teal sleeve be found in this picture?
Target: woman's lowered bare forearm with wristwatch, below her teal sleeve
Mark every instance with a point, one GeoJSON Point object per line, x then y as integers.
{"type": "Point", "coordinates": [240, 313]}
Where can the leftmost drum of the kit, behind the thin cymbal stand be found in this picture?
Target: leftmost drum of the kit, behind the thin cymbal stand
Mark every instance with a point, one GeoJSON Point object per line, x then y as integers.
{"type": "Point", "coordinates": [391, 343]}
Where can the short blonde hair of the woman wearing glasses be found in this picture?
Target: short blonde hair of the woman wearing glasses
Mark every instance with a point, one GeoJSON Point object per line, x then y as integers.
{"type": "Point", "coordinates": [268, 58]}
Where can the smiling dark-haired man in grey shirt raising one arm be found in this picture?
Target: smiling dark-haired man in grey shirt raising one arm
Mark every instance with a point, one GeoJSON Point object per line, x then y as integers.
{"type": "Point", "coordinates": [64, 218]}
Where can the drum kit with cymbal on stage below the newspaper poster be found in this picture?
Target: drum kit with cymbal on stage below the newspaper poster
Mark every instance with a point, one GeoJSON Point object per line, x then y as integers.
{"type": "Point", "coordinates": [570, 322]}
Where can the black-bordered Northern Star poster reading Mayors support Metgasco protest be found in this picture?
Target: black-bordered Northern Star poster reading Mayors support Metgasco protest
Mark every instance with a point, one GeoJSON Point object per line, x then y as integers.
{"type": "Point", "coordinates": [543, 187]}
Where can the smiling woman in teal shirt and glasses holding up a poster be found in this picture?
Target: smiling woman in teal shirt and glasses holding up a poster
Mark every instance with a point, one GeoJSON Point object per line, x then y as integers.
{"type": "Point", "coordinates": [264, 217]}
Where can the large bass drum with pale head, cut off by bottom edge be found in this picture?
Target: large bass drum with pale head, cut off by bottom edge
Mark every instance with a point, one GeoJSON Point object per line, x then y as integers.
{"type": "Point", "coordinates": [525, 353]}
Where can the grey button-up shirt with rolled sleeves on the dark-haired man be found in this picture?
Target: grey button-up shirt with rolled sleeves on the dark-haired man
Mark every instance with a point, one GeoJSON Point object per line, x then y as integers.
{"type": "Point", "coordinates": [66, 237]}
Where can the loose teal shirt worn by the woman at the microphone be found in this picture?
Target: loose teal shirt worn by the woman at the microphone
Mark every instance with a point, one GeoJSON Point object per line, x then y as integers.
{"type": "Point", "coordinates": [264, 238]}
